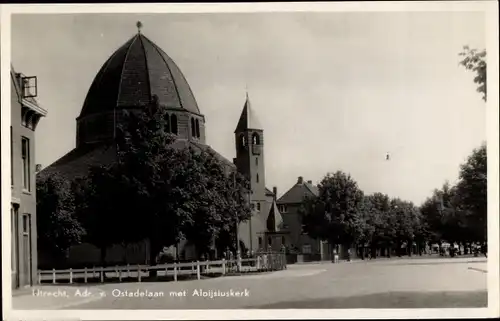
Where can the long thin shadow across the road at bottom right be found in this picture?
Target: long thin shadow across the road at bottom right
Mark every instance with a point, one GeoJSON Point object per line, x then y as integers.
{"type": "Point", "coordinates": [391, 300]}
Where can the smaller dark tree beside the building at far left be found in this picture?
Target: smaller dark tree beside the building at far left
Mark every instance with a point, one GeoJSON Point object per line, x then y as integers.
{"type": "Point", "coordinates": [58, 228]}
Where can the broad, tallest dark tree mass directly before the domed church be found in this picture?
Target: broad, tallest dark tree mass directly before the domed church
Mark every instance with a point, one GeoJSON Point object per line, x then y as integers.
{"type": "Point", "coordinates": [159, 190]}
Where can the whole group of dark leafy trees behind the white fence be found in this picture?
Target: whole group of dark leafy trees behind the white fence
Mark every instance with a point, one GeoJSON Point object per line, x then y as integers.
{"type": "Point", "coordinates": [154, 190]}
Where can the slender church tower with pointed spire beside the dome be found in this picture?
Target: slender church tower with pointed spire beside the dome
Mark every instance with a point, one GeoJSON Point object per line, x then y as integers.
{"type": "Point", "coordinates": [249, 161]}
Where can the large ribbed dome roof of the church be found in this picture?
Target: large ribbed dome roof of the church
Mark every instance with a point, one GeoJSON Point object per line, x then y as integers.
{"type": "Point", "coordinates": [136, 72]}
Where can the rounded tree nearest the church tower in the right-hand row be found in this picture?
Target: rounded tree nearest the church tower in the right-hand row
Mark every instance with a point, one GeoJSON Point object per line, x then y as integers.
{"type": "Point", "coordinates": [335, 214]}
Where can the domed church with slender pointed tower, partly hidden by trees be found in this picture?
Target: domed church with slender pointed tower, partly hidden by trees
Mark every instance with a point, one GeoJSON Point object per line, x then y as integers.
{"type": "Point", "coordinates": [134, 75]}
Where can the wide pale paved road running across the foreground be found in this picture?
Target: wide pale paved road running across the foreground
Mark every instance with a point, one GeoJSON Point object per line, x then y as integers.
{"type": "Point", "coordinates": [402, 283]}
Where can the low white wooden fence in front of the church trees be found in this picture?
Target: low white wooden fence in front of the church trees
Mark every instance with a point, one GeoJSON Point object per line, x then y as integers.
{"type": "Point", "coordinates": [261, 263]}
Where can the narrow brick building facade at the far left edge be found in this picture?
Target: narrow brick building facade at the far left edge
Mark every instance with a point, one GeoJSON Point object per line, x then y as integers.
{"type": "Point", "coordinates": [25, 115]}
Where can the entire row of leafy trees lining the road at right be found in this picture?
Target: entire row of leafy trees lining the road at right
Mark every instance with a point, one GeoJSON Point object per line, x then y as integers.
{"type": "Point", "coordinates": [343, 215]}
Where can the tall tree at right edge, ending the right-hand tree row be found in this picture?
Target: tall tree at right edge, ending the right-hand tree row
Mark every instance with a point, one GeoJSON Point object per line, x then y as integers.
{"type": "Point", "coordinates": [472, 193]}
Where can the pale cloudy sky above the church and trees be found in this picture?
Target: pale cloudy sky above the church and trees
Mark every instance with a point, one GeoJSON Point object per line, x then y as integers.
{"type": "Point", "coordinates": [333, 90]}
